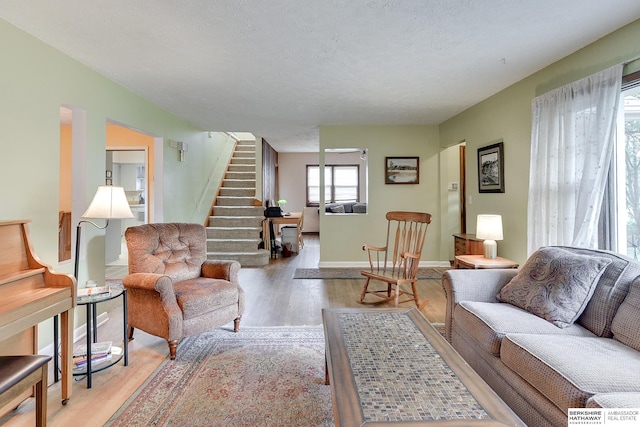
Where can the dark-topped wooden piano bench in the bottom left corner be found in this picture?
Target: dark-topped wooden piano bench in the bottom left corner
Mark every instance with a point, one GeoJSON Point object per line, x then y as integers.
{"type": "Point", "coordinates": [18, 374]}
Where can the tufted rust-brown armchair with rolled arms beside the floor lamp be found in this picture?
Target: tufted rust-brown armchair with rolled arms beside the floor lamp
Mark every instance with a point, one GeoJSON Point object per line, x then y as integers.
{"type": "Point", "coordinates": [173, 291]}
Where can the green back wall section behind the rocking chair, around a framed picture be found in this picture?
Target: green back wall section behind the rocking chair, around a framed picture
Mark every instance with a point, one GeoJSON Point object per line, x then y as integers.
{"type": "Point", "coordinates": [342, 236]}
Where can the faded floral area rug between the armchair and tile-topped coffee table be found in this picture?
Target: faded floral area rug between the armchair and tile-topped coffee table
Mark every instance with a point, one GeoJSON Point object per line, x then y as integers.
{"type": "Point", "coordinates": [256, 377]}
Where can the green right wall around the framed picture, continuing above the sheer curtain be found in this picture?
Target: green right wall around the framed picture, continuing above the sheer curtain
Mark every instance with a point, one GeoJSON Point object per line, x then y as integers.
{"type": "Point", "coordinates": [507, 116]}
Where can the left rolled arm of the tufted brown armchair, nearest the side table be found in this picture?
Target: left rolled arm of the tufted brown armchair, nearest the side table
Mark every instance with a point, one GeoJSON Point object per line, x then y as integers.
{"type": "Point", "coordinates": [153, 306]}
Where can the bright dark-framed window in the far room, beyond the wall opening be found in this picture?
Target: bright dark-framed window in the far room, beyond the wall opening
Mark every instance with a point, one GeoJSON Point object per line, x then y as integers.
{"type": "Point", "coordinates": [341, 184]}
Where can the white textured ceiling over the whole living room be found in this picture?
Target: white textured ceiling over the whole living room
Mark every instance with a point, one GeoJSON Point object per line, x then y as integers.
{"type": "Point", "coordinates": [281, 68]}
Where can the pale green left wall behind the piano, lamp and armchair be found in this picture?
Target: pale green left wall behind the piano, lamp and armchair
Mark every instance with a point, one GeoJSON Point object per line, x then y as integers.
{"type": "Point", "coordinates": [35, 81]}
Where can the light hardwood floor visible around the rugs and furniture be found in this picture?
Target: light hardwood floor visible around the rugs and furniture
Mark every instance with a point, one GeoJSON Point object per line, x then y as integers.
{"type": "Point", "coordinates": [273, 298]}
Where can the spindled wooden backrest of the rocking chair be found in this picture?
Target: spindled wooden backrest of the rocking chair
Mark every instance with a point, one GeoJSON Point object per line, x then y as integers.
{"type": "Point", "coordinates": [406, 233]}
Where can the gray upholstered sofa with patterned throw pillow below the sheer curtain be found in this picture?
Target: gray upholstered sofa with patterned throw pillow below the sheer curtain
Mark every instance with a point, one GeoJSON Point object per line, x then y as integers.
{"type": "Point", "coordinates": [540, 360]}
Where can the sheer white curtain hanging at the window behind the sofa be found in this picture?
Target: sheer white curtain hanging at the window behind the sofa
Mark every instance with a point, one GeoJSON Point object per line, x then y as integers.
{"type": "Point", "coordinates": [572, 142]}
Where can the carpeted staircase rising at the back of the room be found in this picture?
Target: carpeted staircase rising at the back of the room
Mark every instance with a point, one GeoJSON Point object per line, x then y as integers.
{"type": "Point", "coordinates": [235, 223]}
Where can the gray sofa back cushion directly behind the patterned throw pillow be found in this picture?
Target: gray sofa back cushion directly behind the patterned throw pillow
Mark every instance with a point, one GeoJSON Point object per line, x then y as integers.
{"type": "Point", "coordinates": [610, 292]}
